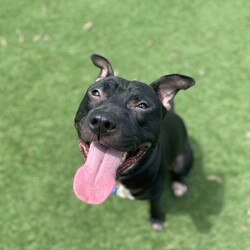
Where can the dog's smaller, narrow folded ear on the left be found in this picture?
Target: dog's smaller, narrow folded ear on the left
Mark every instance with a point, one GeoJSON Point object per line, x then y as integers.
{"type": "Point", "coordinates": [104, 65]}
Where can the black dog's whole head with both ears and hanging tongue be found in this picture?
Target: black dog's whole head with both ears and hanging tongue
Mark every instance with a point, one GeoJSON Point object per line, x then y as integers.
{"type": "Point", "coordinates": [118, 124]}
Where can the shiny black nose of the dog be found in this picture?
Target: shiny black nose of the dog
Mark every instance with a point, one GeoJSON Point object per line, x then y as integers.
{"type": "Point", "coordinates": [102, 124]}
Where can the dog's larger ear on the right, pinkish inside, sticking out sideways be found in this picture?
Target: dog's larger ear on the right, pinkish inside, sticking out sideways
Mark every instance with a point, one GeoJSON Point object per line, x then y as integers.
{"type": "Point", "coordinates": [167, 87]}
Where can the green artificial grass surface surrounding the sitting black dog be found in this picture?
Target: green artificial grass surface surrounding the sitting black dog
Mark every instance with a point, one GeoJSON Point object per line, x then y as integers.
{"type": "Point", "coordinates": [44, 71]}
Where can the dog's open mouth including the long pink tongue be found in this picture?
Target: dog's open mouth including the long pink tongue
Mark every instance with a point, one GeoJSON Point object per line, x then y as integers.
{"type": "Point", "coordinates": [95, 180]}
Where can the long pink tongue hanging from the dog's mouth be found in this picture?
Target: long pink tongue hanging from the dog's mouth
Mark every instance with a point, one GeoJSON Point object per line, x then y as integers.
{"type": "Point", "coordinates": [95, 180]}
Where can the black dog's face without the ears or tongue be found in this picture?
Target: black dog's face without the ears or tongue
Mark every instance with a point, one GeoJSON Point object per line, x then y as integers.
{"type": "Point", "coordinates": [118, 114]}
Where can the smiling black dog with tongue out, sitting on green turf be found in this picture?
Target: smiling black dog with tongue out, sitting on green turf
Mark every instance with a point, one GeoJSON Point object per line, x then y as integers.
{"type": "Point", "coordinates": [130, 137]}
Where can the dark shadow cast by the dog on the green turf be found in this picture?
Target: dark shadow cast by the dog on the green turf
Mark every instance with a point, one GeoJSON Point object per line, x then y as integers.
{"type": "Point", "coordinates": [204, 197]}
